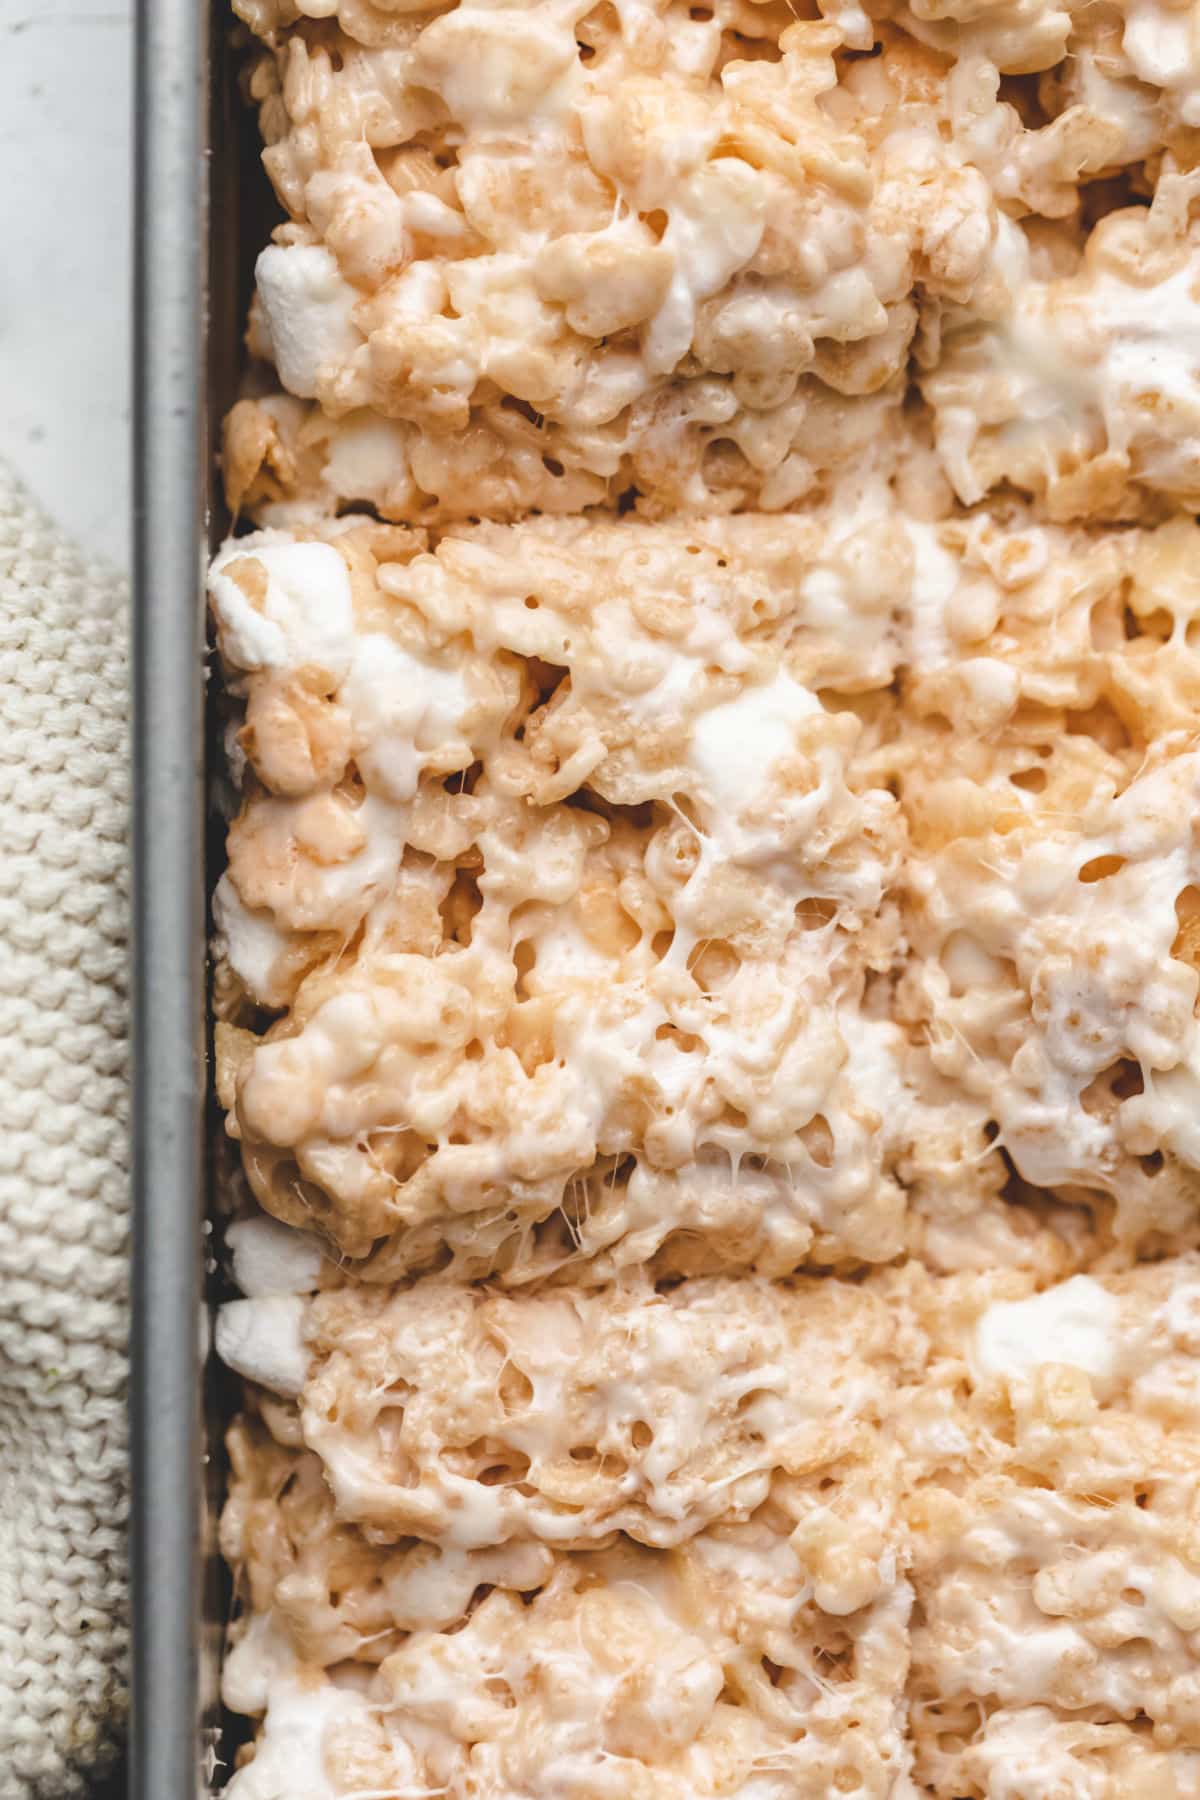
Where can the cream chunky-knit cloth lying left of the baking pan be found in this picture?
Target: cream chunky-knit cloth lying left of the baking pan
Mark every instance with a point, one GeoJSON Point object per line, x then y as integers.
{"type": "Point", "coordinates": [64, 1164]}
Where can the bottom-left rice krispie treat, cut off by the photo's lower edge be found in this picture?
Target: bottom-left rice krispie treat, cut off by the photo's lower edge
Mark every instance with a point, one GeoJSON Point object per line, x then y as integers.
{"type": "Point", "coordinates": [762, 1650]}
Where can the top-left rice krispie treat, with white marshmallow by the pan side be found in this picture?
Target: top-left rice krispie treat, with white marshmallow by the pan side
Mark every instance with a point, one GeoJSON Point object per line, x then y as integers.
{"type": "Point", "coordinates": [602, 255]}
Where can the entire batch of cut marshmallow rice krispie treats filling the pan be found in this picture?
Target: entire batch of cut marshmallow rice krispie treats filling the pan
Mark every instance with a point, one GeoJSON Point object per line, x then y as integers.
{"type": "Point", "coordinates": [708, 969]}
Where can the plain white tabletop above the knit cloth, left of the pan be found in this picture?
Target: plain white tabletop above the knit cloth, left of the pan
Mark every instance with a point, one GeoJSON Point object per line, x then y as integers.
{"type": "Point", "coordinates": [66, 226]}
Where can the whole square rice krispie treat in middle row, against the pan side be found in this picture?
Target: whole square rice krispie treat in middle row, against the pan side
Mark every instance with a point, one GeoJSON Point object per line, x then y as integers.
{"type": "Point", "coordinates": [566, 867]}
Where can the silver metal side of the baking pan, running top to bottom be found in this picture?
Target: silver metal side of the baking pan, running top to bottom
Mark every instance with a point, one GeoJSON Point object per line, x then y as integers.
{"type": "Point", "coordinates": [199, 199]}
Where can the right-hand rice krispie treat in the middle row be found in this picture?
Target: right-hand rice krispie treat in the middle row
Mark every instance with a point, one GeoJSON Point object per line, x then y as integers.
{"type": "Point", "coordinates": [1050, 786]}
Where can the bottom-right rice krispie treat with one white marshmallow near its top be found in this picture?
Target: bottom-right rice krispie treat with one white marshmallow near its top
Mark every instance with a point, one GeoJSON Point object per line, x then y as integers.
{"type": "Point", "coordinates": [1055, 1547]}
